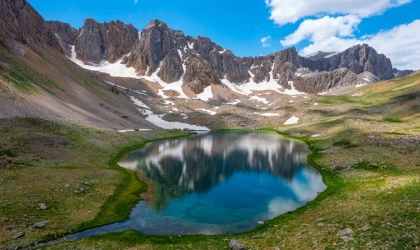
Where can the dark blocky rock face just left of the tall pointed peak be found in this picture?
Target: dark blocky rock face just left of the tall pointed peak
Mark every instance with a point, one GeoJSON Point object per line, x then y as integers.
{"type": "Point", "coordinates": [105, 41]}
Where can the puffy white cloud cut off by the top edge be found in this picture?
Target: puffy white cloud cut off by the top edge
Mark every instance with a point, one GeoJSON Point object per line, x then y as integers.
{"type": "Point", "coordinates": [290, 11]}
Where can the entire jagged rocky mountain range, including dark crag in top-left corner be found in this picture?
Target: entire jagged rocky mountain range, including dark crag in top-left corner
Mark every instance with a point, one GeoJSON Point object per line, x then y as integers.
{"type": "Point", "coordinates": [168, 56]}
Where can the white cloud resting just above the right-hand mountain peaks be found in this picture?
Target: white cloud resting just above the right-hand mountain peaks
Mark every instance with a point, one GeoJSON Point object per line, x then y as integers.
{"type": "Point", "coordinates": [401, 44]}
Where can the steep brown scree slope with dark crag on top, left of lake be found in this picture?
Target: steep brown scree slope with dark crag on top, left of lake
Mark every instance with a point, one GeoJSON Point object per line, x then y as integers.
{"type": "Point", "coordinates": [37, 79]}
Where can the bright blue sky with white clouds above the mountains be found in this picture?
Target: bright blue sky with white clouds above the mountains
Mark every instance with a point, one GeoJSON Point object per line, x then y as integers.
{"type": "Point", "coordinates": [260, 27]}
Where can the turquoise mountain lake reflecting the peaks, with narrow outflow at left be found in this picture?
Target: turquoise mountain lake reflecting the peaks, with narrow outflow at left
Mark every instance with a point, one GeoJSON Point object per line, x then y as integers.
{"type": "Point", "coordinates": [217, 183]}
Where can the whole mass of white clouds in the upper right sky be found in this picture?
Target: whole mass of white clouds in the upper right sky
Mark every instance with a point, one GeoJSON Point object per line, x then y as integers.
{"type": "Point", "coordinates": [331, 25]}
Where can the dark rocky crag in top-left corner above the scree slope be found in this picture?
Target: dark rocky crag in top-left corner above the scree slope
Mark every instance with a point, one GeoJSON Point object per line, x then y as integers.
{"type": "Point", "coordinates": [19, 22]}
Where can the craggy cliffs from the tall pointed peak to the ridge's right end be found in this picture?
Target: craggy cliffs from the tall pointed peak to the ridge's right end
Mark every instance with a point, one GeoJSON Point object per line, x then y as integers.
{"type": "Point", "coordinates": [201, 62]}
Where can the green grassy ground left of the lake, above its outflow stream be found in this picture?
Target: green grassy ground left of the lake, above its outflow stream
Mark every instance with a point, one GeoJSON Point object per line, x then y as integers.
{"type": "Point", "coordinates": [56, 155]}
